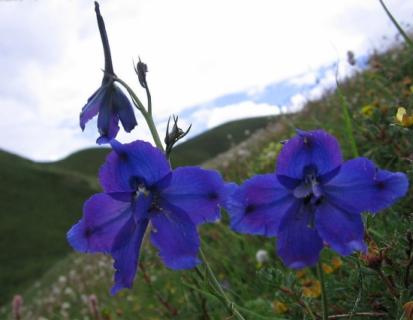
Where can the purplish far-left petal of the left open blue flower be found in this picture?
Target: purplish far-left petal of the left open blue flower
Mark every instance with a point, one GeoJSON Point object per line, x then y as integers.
{"type": "Point", "coordinates": [103, 217]}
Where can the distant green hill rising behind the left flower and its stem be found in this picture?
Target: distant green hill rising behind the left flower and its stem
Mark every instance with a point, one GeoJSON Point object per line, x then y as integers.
{"type": "Point", "coordinates": [191, 152]}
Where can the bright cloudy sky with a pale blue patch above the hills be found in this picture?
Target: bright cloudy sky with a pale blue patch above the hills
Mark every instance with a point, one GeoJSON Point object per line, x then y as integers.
{"type": "Point", "coordinates": [209, 61]}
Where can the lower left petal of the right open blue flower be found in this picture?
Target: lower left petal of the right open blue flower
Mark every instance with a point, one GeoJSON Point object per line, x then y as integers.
{"type": "Point", "coordinates": [299, 244]}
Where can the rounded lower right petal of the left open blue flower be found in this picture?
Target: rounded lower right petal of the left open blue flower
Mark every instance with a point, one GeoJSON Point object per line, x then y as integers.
{"type": "Point", "coordinates": [176, 238]}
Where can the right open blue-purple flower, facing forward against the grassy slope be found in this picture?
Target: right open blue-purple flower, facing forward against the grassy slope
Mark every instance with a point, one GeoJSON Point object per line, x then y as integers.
{"type": "Point", "coordinates": [313, 197]}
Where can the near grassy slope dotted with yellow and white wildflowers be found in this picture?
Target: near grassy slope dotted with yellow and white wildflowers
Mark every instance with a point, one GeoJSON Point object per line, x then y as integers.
{"type": "Point", "coordinates": [356, 286]}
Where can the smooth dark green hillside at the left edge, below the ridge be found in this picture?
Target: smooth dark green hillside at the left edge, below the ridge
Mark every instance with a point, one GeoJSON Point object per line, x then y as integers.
{"type": "Point", "coordinates": [36, 208]}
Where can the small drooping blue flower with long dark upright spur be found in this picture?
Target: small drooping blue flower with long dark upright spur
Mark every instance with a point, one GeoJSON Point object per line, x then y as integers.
{"type": "Point", "coordinates": [108, 101]}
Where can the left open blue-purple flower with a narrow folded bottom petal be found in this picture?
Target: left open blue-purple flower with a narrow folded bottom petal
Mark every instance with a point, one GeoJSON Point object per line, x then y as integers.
{"type": "Point", "coordinates": [141, 189]}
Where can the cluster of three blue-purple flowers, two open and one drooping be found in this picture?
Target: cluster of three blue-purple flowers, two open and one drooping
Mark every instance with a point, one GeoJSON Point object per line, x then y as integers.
{"type": "Point", "coordinates": [313, 198]}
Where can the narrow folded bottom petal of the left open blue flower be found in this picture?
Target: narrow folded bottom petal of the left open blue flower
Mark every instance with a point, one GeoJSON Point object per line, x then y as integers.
{"type": "Point", "coordinates": [126, 247]}
